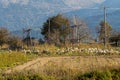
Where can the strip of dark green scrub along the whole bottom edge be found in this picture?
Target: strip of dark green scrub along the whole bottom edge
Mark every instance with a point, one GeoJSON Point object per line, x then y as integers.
{"type": "Point", "coordinates": [94, 75]}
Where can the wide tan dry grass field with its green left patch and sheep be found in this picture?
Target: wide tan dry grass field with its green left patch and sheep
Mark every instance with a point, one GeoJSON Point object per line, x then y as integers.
{"type": "Point", "coordinates": [57, 62]}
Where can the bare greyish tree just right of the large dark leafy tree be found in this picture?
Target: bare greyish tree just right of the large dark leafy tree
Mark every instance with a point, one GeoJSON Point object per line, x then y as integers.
{"type": "Point", "coordinates": [81, 32]}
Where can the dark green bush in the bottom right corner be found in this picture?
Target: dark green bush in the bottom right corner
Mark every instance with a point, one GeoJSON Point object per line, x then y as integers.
{"type": "Point", "coordinates": [99, 75]}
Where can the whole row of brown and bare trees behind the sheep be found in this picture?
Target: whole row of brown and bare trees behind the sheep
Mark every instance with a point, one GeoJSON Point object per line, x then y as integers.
{"type": "Point", "coordinates": [61, 30]}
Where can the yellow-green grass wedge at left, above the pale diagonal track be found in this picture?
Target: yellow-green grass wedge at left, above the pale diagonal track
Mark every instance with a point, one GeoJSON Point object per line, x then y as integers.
{"type": "Point", "coordinates": [12, 59]}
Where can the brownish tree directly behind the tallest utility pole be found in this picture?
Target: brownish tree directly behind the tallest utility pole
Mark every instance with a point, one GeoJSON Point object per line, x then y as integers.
{"type": "Point", "coordinates": [104, 31]}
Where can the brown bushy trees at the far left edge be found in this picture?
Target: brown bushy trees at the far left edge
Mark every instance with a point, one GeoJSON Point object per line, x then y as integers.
{"type": "Point", "coordinates": [13, 42]}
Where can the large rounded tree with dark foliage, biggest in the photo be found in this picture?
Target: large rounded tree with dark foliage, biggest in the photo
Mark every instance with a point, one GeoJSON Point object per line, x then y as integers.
{"type": "Point", "coordinates": [56, 29]}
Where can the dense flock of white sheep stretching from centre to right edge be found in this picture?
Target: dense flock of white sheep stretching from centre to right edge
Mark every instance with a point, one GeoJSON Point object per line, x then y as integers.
{"type": "Point", "coordinates": [87, 50]}
